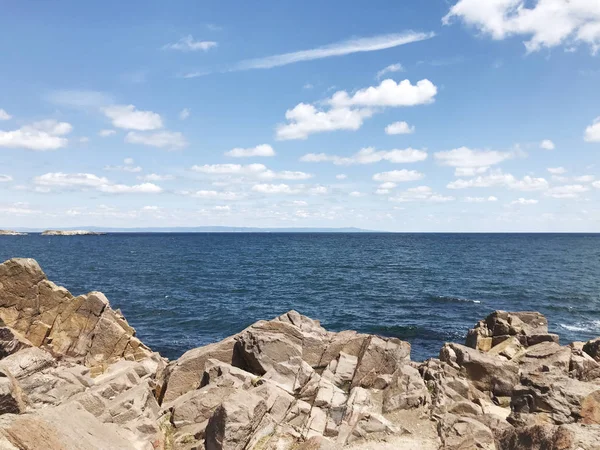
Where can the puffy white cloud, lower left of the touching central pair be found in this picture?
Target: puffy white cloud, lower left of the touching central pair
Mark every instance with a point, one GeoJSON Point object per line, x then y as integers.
{"type": "Point", "coordinates": [306, 119]}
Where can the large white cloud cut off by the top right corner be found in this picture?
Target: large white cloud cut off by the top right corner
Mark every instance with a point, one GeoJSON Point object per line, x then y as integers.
{"type": "Point", "coordinates": [545, 23]}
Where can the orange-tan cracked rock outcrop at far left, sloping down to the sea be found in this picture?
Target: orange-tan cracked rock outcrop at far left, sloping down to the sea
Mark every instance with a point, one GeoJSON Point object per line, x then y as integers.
{"type": "Point", "coordinates": [83, 327]}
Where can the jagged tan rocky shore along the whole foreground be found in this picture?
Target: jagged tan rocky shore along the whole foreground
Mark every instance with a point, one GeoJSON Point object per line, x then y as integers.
{"type": "Point", "coordinates": [74, 376]}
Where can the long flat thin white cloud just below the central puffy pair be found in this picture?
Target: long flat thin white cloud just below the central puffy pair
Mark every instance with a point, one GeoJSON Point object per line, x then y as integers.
{"type": "Point", "coordinates": [368, 156]}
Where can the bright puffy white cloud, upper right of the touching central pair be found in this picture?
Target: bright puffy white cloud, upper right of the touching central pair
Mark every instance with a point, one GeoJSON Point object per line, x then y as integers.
{"type": "Point", "coordinates": [388, 93]}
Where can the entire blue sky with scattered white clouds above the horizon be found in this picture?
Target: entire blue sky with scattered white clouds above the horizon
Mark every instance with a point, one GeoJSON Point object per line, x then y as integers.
{"type": "Point", "coordinates": [445, 115]}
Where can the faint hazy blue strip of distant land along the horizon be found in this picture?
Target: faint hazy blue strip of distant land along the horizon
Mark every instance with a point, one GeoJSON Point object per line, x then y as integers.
{"type": "Point", "coordinates": [209, 229]}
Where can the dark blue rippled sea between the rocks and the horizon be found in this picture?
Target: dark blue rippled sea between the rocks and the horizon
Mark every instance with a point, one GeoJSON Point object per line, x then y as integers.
{"type": "Point", "coordinates": [185, 290]}
